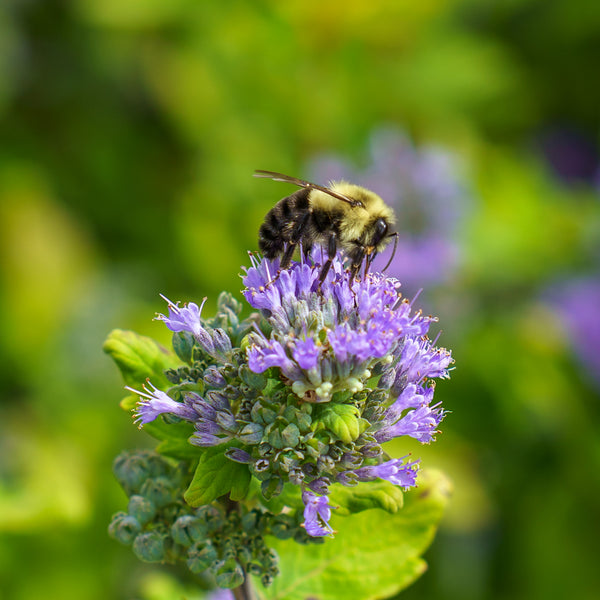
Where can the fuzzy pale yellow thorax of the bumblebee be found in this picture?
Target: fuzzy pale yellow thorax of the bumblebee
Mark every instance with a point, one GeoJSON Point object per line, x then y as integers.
{"type": "Point", "coordinates": [356, 218]}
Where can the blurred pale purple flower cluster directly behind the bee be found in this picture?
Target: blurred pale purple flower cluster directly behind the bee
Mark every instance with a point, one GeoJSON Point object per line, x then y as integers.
{"type": "Point", "coordinates": [424, 188]}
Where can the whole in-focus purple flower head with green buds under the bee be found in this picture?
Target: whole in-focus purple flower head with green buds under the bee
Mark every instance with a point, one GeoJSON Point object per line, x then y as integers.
{"type": "Point", "coordinates": [324, 341]}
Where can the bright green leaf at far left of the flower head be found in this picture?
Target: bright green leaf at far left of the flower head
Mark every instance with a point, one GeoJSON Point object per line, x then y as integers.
{"type": "Point", "coordinates": [139, 358]}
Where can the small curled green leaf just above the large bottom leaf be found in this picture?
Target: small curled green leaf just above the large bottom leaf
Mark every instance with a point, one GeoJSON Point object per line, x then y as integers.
{"type": "Point", "coordinates": [366, 495]}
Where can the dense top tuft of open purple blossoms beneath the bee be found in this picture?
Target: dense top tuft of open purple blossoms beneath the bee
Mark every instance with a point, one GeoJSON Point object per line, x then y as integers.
{"type": "Point", "coordinates": [329, 340]}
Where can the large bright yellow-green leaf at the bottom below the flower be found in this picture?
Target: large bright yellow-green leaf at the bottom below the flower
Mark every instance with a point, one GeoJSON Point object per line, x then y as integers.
{"type": "Point", "coordinates": [373, 555]}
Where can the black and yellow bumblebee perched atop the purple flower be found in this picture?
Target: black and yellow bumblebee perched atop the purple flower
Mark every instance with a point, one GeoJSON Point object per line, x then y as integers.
{"type": "Point", "coordinates": [343, 216]}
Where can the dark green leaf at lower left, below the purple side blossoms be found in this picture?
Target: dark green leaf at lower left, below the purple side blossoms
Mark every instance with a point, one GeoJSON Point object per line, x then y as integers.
{"type": "Point", "coordinates": [215, 476]}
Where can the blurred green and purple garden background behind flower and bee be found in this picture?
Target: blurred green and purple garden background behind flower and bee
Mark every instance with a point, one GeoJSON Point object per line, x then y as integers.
{"type": "Point", "coordinates": [130, 129]}
